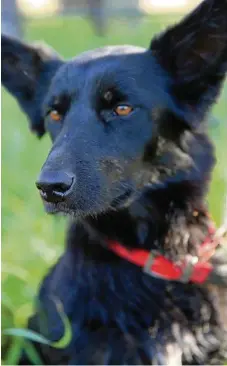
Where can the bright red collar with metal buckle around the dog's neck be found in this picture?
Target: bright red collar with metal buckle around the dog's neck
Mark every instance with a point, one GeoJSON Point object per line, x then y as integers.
{"type": "Point", "coordinates": [192, 269]}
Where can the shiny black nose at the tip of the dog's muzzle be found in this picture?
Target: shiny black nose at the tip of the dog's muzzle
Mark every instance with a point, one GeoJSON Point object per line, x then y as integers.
{"type": "Point", "coordinates": [54, 186]}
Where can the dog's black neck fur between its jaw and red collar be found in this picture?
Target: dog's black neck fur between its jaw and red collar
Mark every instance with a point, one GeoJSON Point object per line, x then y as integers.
{"type": "Point", "coordinates": [172, 220]}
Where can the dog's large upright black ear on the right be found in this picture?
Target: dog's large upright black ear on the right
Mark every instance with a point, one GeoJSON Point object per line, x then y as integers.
{"type": "Point", "coordinates": [194, 53]}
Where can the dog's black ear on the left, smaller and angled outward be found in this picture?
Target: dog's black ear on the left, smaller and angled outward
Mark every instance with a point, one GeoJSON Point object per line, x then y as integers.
{"type": "Point", "coordinates": [26, 73]}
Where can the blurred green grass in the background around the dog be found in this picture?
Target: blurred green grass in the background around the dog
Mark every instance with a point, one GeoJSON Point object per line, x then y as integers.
{"type": "Point", "coordinates": [31, 240]}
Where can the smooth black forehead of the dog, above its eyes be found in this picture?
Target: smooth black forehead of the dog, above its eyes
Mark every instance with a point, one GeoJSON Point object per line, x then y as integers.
{"type": "Point", "coordinates": [126, 68]}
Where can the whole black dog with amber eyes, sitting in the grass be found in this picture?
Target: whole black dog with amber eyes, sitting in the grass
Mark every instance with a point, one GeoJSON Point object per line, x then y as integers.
{"type": "Point", "coordinates": [131, 162]}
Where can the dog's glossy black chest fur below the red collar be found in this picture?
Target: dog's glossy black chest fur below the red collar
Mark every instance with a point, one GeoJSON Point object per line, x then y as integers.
{"type": "Point", "coordinates": [119, 315]}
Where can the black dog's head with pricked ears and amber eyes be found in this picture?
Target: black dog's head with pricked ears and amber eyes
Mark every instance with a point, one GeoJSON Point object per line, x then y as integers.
{"type": "Point", "coordinates": [122, 118]}
